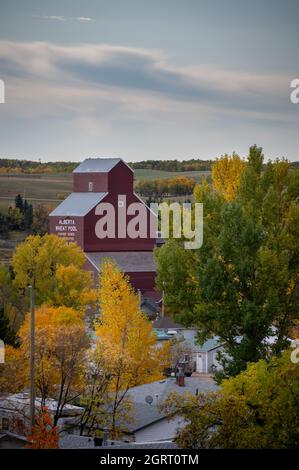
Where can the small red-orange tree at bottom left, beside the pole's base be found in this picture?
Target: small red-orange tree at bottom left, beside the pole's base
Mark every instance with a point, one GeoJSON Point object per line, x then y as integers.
{"type": "Point", "coordinates": [44, 434]}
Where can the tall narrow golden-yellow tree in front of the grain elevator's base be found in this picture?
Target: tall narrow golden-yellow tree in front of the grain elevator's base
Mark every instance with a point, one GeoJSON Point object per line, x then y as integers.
{"type": "Point", "coordinates": [126, 339]}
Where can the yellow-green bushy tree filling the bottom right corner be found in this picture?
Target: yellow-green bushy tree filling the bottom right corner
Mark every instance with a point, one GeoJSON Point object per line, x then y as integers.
{"type": "Point", "coordinates": [257, 409]}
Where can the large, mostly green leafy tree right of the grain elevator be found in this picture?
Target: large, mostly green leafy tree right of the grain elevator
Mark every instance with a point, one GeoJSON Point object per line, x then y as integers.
{"type": "Point", "coordinates": [245, 275]}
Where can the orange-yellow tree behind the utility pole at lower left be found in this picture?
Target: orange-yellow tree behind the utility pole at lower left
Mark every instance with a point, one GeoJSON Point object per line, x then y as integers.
{"type": "Point", "coordinates": [60, 348]}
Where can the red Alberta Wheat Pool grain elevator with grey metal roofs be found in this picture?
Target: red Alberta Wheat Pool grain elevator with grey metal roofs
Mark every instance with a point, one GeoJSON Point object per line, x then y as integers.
{"type": "Point", "coordinates": [97, 182]}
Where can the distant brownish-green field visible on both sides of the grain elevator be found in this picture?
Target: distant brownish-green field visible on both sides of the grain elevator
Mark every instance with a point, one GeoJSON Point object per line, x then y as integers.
{"type": "Point", "coordinates": [51, 188]}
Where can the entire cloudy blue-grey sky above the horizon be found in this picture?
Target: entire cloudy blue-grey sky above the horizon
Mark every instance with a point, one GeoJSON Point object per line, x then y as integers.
{"type": "Point", "coordinates": [148, 79]}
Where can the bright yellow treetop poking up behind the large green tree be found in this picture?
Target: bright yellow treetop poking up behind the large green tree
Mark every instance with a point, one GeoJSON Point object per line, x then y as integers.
{"type": "Point", "coordinates": [226, 174]}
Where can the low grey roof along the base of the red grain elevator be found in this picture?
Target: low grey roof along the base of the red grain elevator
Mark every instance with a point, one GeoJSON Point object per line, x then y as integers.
{"type": "Point", "coordinates": [128, 261]}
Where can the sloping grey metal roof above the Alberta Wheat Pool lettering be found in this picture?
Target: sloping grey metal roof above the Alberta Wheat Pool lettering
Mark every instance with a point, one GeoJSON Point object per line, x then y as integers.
{"type": "Point", "coordinates": [78, 204]}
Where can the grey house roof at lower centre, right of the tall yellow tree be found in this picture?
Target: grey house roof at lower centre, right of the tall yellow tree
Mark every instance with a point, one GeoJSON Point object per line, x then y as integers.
{"type": "Point", "coordinates": [146, 414]}
